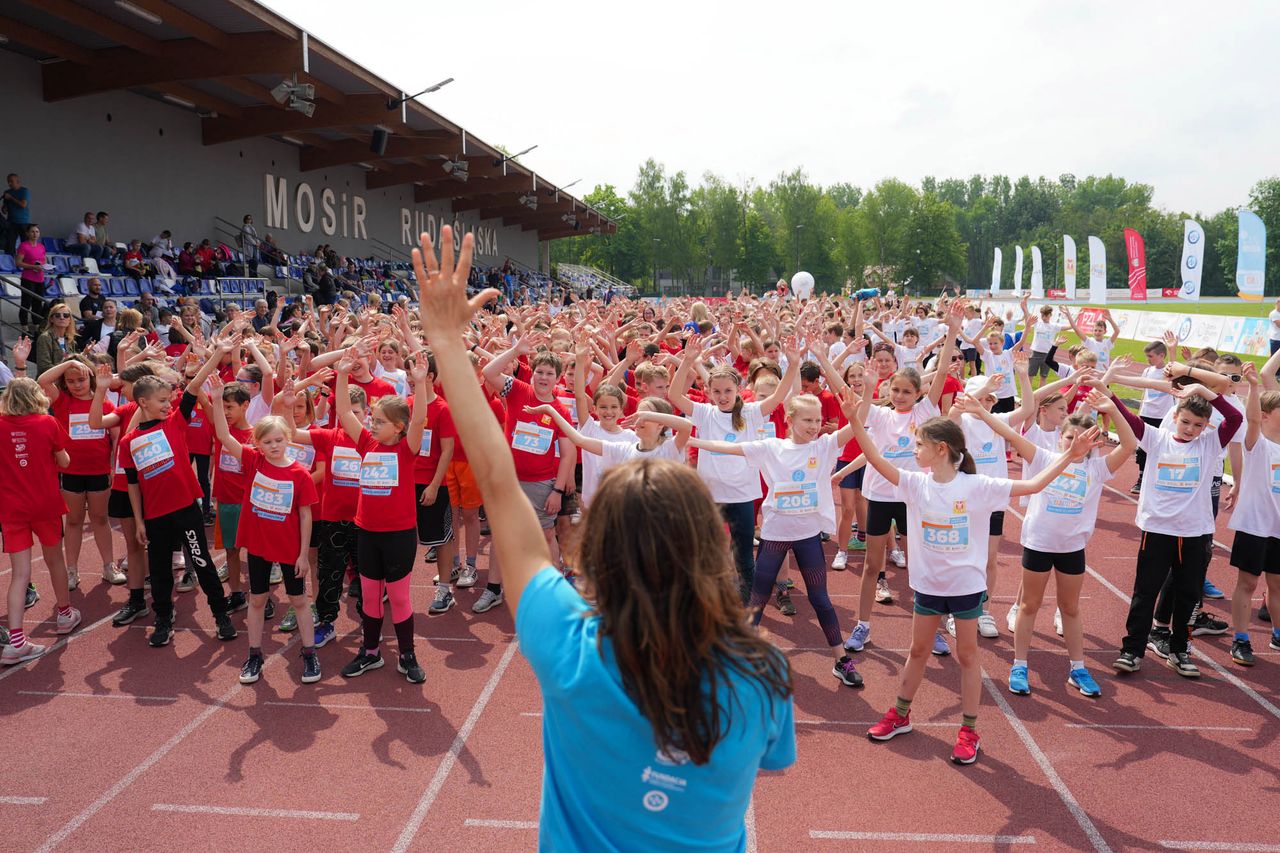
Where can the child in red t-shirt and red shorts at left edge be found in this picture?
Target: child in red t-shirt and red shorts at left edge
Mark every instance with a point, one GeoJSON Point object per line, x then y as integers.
{"type": "Point", "coordinates": [33, 449]}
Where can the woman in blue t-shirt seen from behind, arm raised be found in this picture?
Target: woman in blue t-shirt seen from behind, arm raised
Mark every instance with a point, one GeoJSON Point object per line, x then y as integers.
{"type": "Point", "coordinates": [660, 703]}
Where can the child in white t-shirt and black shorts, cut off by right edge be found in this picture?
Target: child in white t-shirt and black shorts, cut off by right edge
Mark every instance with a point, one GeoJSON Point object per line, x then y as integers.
{"type": "Point", "coordinates": [1256, 521]}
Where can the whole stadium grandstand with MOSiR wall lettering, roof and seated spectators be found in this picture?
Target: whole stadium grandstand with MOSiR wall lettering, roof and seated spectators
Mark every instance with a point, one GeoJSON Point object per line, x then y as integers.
{"type": "Point", "coordinates": [214, 150]}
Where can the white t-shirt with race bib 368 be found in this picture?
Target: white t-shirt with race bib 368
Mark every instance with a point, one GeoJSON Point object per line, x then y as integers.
{"type": "Point", "coordinates": [948, 530]}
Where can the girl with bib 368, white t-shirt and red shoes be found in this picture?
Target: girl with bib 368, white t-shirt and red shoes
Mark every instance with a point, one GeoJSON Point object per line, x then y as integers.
{"type": "Point", "coordinates": [949, 509]}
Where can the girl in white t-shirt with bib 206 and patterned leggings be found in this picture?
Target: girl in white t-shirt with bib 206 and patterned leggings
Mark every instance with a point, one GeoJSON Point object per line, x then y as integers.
{"type": "Point", "coordinates": [799, 510]}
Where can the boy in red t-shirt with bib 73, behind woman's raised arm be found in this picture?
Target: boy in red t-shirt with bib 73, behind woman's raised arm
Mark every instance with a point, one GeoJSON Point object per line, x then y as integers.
{"type": "Point", "coordinates": [545, 458]}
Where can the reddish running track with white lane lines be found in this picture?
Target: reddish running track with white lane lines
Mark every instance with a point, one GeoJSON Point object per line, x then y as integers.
{"type": "Point", "coordinates": [116, 746]}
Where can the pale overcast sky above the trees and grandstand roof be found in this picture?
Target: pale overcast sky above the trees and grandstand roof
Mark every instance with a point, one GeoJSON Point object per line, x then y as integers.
{"type": "Point", "coordinates": [1180, 95]}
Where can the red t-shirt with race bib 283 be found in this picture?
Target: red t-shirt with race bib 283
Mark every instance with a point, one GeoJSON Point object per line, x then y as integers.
{"type": "Point", "coordinates": [271, 526]}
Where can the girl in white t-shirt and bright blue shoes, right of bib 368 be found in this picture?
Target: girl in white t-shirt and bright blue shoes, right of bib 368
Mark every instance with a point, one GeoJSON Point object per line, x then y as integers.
{"type": "Point", "coordinates": [1060, 521]}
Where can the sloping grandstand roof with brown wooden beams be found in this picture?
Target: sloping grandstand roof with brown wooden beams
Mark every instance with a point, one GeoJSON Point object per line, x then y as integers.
{"type": "Point", "coordinates": [222, 58]}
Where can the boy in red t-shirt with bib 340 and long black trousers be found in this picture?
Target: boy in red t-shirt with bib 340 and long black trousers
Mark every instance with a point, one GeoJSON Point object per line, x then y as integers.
{"type": "Point", "coordinates": [166, 499]}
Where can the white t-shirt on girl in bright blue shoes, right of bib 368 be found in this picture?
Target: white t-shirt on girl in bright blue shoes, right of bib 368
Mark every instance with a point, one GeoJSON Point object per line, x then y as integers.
{"type": "Point", "coordinates": [1062, 518]}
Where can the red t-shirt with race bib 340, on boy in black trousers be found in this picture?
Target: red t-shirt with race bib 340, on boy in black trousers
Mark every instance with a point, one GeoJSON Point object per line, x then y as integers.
{"type": "Point", "coordinates": [161, 457]}
